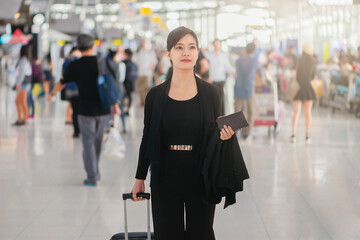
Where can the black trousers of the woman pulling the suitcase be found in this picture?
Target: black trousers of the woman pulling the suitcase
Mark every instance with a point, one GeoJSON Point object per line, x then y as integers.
{"type": "Point", "coordinates": [179, 193]}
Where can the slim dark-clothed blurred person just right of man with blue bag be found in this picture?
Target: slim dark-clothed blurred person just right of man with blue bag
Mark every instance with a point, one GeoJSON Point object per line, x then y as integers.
{"type": "Point", "coordinates": [130, 76]}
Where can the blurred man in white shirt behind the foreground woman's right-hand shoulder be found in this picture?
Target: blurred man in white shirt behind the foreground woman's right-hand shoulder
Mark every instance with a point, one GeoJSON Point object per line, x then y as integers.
{"type": "Point", "coordinates": [220, 66]}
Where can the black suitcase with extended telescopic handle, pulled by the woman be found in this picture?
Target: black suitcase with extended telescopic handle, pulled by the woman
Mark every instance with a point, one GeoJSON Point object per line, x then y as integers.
{"type": "Point", "coordinates": [135, 235]}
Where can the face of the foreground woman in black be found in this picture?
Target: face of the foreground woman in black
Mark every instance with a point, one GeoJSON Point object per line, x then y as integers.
{"type": "Point", "coordinates": [185, 53]}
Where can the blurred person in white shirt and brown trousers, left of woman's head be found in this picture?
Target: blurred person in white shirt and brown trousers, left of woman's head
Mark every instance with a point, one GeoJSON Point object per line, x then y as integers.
{"type": "Point", "coordinates": [146, 61]}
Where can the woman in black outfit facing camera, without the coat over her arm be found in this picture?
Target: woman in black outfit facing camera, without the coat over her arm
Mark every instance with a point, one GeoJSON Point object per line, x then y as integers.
{"type": "Point", "coordinates": [179, 117]}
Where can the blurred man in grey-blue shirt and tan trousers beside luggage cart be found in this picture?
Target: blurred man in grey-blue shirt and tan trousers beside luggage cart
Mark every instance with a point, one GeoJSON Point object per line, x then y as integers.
{"type": "Point", "coordinates": [246, 69]}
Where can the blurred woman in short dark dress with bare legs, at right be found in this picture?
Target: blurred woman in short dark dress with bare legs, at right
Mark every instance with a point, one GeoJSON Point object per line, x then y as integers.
{"type": "Point", "coordinates": [305, 73]}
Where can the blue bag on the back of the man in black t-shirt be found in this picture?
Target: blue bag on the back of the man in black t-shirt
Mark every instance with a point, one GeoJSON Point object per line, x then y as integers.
{"type": "Point", "coordinates": [106, 86]}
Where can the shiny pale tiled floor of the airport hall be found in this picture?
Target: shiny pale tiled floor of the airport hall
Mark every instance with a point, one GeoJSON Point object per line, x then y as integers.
{"type": "Point", "coordinates": [295, 191]}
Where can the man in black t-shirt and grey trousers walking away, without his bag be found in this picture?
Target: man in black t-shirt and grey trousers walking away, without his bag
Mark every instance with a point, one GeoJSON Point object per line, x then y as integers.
{"type": "Point", "coordinates": [92, 115]}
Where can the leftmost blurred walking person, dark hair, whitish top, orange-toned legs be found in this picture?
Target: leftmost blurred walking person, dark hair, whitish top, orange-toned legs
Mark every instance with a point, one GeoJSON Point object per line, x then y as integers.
{"type": "Point", "coordinates": [23, 85]}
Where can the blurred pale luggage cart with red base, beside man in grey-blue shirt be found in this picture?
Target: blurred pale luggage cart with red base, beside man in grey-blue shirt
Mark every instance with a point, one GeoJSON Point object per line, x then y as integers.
{"type": "Point", "coordinates": [266, 108]}
